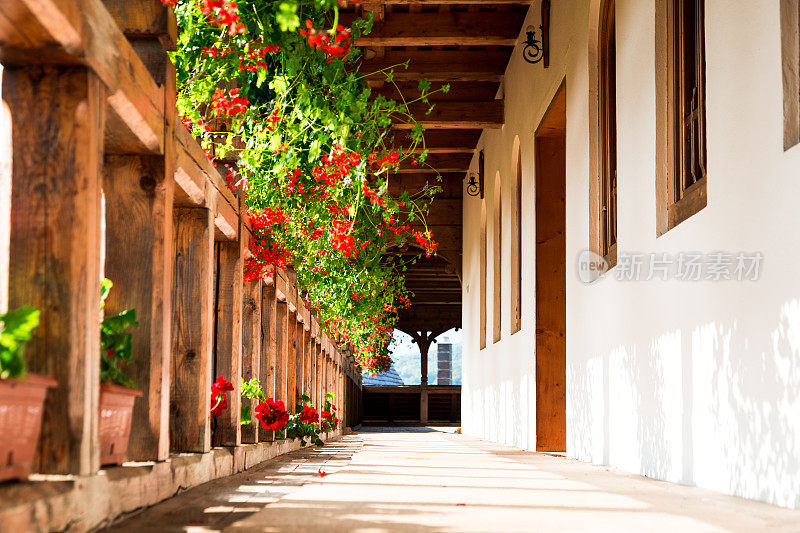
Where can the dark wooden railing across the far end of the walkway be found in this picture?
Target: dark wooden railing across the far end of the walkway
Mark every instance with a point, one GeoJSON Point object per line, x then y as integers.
{"type": "Point", "coordinates": [412, 404]}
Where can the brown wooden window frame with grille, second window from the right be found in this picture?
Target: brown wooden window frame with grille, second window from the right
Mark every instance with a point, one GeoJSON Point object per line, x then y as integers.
{"type": "Point", "coordinates": [677, 201]}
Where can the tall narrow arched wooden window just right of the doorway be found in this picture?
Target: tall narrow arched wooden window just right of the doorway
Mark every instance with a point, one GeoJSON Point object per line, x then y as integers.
{"type": "Point", "coordinates": [603, 212]}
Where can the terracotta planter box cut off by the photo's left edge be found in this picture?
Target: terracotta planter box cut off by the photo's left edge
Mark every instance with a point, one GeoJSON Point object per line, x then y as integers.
{"type": "Point", "coordinates": [21, 409]}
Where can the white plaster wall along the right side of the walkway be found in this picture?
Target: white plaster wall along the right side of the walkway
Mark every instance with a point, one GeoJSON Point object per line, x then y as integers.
{"type": "Point", "coordinates": [692, 382]}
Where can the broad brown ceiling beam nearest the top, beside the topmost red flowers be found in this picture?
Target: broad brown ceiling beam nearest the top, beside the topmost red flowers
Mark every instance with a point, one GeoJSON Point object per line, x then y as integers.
{"type": "Point", "coordinates": [443, 29]}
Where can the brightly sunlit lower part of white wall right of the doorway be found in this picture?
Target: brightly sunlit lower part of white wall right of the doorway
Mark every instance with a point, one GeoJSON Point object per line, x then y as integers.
{"type": "Point", "coordinates": [713, 405]}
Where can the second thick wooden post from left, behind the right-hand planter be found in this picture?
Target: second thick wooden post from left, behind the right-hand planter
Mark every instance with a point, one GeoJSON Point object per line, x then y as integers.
{"type": "Point", "coordinates": [139, 192]}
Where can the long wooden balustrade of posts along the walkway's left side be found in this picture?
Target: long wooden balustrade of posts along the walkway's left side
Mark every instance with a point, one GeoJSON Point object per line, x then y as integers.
{"type": "Point", "coordinates": [92, 101]}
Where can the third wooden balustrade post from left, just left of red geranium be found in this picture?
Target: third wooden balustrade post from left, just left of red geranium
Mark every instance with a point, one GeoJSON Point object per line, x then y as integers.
{"type": "Point", "coordinates": [192, 330]}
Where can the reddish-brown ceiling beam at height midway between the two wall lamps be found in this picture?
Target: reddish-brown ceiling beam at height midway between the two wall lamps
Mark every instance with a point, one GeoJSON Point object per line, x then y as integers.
{"type": "Point", "coordinates": [455, 115]}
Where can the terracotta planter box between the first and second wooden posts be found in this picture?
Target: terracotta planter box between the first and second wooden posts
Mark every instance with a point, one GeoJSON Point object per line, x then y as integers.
{"type": "Point", "coordinates": [116, 413]}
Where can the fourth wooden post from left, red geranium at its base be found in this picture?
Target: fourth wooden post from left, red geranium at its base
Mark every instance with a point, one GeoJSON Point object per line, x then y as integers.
{"type": "Point", "coordinates": [228, 345]}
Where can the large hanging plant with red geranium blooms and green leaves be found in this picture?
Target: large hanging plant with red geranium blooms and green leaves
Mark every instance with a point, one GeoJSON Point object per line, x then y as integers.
{"type": "Point", "coordinates": [273, 89]}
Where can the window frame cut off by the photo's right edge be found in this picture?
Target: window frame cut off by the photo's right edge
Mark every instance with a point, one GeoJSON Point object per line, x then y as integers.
{"type": "Point", "coordinates": [790, 60]}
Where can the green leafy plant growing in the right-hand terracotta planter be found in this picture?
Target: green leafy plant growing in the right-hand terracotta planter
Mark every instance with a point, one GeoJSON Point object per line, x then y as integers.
{"type": "Point", "coordinates": [115, 342]}
